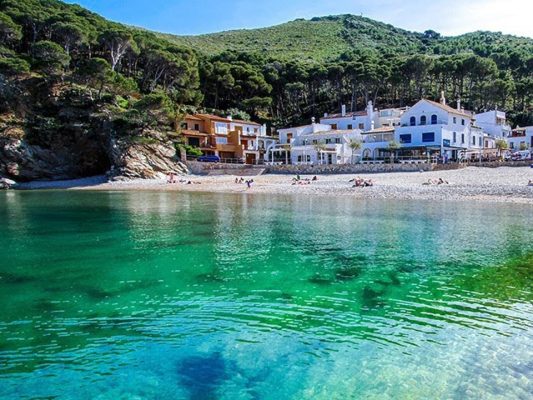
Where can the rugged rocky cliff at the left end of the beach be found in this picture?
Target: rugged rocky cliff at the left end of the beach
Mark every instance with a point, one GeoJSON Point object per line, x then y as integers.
{"type": "Point", "coordinates": [50, 131]}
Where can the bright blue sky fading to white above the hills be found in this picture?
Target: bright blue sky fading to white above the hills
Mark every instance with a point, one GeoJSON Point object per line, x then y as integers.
{"type": "Point", "coordinates": [188, 17]}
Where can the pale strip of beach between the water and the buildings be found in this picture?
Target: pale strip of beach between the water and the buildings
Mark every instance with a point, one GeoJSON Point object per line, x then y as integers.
{"type": "Point", "coordinates": [503, 184]}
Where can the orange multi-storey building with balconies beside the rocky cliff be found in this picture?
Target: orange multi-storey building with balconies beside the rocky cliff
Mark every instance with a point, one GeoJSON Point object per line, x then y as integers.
{"type": "Point", "coordinates": [227, 138]}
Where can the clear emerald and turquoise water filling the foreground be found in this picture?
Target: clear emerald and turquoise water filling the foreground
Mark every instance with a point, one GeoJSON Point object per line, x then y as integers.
{"type": "Point", "coordinates": [189, 296]}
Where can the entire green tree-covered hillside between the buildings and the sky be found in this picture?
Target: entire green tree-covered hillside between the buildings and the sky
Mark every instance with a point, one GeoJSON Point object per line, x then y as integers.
{"type": "Point", "coordinates": [284, 74]}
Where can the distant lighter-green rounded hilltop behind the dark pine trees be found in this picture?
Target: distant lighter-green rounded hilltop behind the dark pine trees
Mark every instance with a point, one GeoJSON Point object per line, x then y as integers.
{"type": "Point", "coordinates": [327, 38]}
